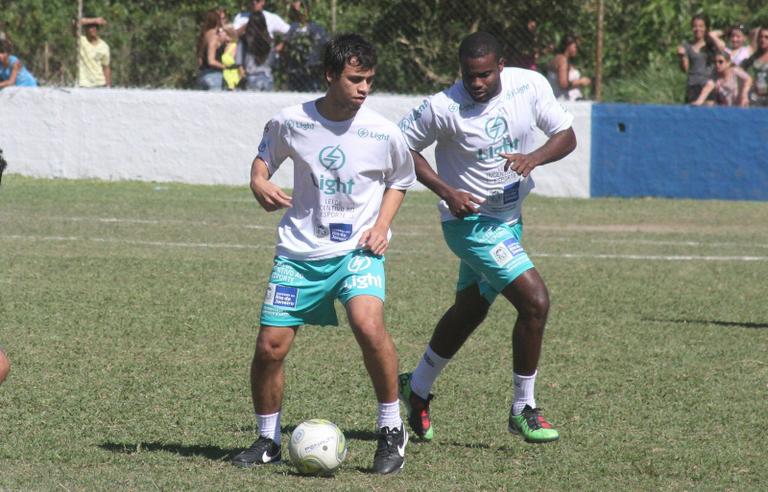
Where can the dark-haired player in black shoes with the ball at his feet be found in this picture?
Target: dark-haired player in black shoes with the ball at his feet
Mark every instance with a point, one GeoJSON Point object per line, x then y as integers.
{"type": "Point", "coordinates": [352, 168]}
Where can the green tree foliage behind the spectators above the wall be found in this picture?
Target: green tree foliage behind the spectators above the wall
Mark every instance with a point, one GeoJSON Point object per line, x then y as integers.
{"type": "Point", "coordinates": [153, 42]}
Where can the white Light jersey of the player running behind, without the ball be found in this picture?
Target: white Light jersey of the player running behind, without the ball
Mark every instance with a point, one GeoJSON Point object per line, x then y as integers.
{"type": "Point", "coordinates": [471, 137]}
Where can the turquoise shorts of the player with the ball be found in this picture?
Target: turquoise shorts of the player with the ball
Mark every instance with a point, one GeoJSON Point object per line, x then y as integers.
{"type": "Point", "coordinates": [303, 292]}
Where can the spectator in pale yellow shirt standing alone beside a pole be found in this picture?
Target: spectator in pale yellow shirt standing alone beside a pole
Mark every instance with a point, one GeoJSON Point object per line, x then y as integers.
{"type": "Point", "coordinates": [93, 60]}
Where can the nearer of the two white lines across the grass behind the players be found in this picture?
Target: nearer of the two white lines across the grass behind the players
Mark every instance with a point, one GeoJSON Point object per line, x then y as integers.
{"type": "Point", "coordinates": [394, 250]}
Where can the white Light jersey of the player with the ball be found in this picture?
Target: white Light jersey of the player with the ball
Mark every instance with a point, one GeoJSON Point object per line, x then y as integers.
{"type": "Point", "coordinates": [341, 169]}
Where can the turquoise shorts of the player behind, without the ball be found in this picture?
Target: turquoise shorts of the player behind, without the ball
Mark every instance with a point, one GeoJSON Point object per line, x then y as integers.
{"type": "Point", "coordinates": [490, 253]}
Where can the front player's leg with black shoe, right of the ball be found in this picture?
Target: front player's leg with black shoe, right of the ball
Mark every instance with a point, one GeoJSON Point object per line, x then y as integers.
{"type": "Point", "coordinates": [366, 317]}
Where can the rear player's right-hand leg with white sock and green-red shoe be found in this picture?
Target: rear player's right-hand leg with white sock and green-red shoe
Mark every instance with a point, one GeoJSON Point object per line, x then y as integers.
{"type": "Point", "coordinates": [529, 295]}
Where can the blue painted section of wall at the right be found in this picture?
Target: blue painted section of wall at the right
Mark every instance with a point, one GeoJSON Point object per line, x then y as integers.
{"type": "Point", "coordinates": [679, 152]}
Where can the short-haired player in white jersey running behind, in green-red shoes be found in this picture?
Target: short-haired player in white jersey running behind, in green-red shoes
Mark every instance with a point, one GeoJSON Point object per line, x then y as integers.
{"type": "Point", "coordinates": [484, 128]}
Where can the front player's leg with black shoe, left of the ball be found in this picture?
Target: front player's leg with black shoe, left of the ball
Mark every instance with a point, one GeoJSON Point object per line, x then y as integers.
{"type": "Point", "coordinates": [267, 381]}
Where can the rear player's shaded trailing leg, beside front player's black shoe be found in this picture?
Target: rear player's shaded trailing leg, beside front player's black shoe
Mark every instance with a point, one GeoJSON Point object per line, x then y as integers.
{"type": "Point", "coordinates": [454, 328]}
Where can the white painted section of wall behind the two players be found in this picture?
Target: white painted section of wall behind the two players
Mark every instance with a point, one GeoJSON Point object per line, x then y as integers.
{"type": "Point", "coordinates": [188, 136]}
